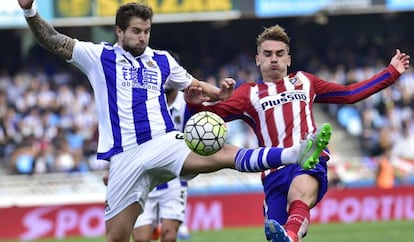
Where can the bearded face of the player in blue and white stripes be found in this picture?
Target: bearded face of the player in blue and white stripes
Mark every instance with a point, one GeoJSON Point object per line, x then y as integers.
{"type": "Point", "coordinates": [136, 37]}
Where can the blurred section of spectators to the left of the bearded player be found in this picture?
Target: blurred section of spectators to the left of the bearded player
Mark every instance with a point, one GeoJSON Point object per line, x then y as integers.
{"type": "Point", "coordinates": [47, 124]}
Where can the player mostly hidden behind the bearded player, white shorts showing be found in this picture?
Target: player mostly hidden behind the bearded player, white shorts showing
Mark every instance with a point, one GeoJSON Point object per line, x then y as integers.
{"type": "Point", "coordinates": [164, 212]}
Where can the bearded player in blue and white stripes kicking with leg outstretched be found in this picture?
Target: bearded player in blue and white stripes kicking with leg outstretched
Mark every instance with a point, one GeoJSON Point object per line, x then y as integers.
{"type": "Point", "coordinates": [136, 132]}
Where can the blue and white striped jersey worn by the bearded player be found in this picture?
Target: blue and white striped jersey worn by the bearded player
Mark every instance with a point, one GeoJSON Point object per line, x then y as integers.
{"type": "Point", "coordinates": [129, 93]}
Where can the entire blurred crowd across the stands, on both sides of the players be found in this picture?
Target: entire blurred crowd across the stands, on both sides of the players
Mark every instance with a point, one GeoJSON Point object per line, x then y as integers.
{"type": "Point", "coordinates": [48, 120]}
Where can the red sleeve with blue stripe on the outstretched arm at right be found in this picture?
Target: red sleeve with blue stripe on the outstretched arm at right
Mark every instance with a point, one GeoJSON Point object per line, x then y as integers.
{"type": "Point", "coordinates": [329, 92]}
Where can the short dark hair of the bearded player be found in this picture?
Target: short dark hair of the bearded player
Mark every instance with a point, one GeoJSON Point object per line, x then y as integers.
{"type": "Point", "coordinates": [129, 10]}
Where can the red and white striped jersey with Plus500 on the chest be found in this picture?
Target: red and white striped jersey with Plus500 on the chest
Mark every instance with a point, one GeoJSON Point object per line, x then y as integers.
{"type": "Point", "coordinates": [280, 113]}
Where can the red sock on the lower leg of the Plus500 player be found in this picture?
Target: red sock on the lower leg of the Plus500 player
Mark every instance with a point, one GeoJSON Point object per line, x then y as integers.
{"type": "Point", "coordinates": [298, 220]}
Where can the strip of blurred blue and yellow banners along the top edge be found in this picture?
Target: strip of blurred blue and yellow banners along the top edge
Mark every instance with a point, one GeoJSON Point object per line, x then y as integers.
{"type": "Point", "coordinates": [101, 12]}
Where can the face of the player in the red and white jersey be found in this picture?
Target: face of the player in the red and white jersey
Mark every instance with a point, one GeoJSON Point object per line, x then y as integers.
{"type": "Point", "coordinates": [273, 60]}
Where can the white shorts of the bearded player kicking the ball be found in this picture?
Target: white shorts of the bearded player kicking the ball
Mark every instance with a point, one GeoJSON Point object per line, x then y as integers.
{"type": "Point", "coordinates": [135, 172]}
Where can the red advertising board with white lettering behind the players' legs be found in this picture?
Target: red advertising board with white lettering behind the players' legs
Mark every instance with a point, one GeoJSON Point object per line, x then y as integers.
{"type": "Point", "coordinates": [208, 212]}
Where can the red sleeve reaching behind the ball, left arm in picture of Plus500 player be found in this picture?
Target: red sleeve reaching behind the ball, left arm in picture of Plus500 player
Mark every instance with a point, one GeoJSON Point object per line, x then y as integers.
{"type": "Point", "coordinates": [230, 109]}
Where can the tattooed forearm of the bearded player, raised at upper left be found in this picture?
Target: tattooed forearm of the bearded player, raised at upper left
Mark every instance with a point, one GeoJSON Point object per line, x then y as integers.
{"type": "Point", "coordinates": [50, 39]}
